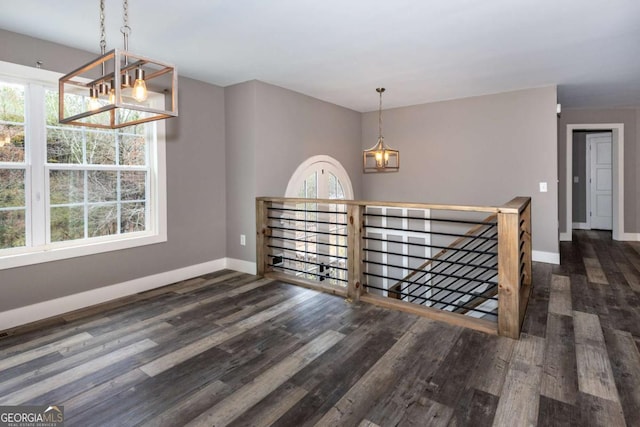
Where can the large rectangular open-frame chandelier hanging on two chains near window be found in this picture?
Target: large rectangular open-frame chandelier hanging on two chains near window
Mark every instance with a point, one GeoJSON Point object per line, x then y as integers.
{"type": "Point", "coordinates": [101, 93]}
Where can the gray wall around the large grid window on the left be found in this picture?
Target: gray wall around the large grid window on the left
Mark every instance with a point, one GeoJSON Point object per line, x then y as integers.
{"type": "Point", "coordinates": [195, 193]}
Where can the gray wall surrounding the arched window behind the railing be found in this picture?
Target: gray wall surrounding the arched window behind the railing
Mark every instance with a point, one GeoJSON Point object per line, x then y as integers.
{"type": "Point", "coordinates": [288, 128]}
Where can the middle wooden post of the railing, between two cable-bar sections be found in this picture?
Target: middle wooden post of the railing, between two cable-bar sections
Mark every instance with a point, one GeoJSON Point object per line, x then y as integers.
{"type": "Point", "coordinates": [354, 251]}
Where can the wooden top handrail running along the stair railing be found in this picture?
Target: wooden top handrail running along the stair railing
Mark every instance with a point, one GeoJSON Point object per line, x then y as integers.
{"type": "Point", "coordinates": [515, 205]}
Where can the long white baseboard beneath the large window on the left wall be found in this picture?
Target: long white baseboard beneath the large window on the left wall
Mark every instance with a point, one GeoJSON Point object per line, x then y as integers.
{"type": "Point", "coordinates": [55, 307]}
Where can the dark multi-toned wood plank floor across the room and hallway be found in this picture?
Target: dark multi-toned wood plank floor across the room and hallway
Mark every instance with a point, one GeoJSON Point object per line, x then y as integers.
{"type": "Point", "coordinates": [230, 349]}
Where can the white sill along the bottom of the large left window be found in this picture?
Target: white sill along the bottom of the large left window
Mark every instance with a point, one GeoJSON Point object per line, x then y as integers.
{"type": "Point", "coordinates": [57, 253]}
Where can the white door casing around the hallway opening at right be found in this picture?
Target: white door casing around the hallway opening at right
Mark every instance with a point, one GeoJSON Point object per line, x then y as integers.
{"type": "Point", "coordinates": [617, 148]}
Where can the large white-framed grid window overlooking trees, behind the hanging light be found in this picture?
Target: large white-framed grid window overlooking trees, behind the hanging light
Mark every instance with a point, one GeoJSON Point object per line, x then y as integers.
{"type": "Point", "coordinates": [68, 191]}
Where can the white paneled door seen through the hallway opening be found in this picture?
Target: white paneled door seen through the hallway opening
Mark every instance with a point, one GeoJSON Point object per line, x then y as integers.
{"type": "Point", "coordinates": [600, 182]}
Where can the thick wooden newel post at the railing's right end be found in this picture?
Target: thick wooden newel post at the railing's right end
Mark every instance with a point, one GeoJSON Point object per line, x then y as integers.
{"type": "Point", "coordinates": [509, 274]}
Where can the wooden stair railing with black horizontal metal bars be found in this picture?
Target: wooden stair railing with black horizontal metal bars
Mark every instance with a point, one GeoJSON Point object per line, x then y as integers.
{"type": "Point", "coordinates": [447, 262]}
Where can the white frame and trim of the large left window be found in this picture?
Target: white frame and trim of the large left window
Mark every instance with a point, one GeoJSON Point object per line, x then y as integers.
{"type": "Point", "coordinates": [37, 213]}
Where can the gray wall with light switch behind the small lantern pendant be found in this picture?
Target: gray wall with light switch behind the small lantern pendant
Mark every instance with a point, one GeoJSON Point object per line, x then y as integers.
{"type": "Point", "coordinates": [479, 151]}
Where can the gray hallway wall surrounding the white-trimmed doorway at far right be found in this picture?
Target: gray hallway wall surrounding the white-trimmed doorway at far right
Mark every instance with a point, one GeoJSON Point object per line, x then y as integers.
{"type": "Point", "coordinates": [630, 117]}
